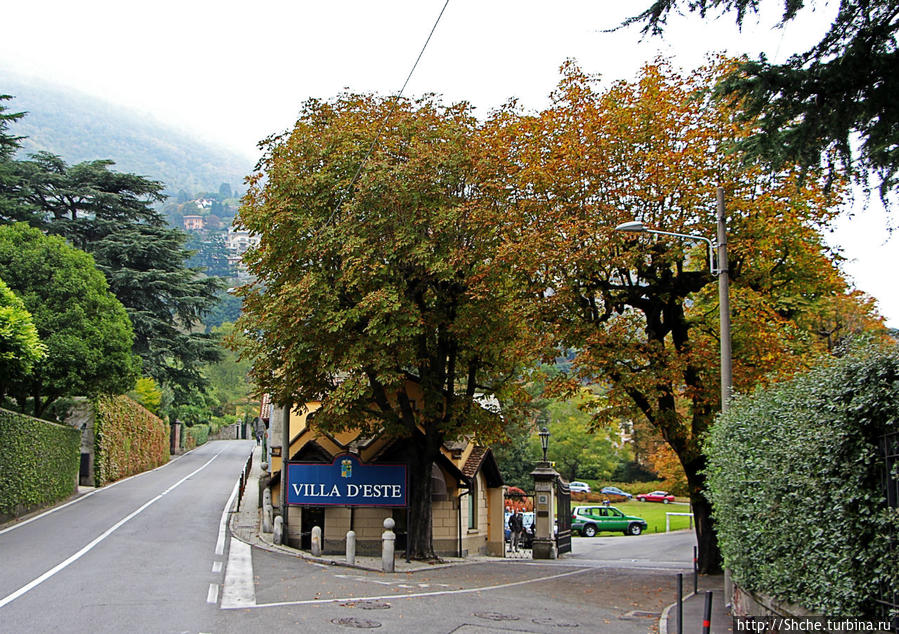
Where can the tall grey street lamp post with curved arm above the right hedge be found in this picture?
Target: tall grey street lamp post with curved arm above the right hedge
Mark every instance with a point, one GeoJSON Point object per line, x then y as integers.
{"type": "Point", "coordinates": [718, 268]}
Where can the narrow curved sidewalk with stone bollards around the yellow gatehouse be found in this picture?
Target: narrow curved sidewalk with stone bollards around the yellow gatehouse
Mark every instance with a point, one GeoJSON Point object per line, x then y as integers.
{"type": "Point", "coordinates": [246, 525]}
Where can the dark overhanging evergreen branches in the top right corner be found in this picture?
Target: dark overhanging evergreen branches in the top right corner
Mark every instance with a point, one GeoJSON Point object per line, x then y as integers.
{"type": "Point", "coordinates": [816, 105]}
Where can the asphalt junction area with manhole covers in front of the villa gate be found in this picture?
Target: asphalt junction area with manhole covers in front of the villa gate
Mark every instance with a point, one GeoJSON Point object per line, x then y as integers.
{"type": "Point", "coordinates": [611, 584]}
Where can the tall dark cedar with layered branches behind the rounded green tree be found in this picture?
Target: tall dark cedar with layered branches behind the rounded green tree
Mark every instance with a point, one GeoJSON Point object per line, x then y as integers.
{"type": "Point", "coordinates": [110, 215]}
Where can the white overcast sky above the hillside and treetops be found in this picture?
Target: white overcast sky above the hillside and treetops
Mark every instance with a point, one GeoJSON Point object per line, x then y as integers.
{"type": "Point", "coordinates": [234, 72]}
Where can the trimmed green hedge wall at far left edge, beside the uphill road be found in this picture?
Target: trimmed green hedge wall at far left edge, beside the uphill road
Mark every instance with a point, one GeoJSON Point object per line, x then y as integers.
{"type": "Point", "coordinates": [39, 463]}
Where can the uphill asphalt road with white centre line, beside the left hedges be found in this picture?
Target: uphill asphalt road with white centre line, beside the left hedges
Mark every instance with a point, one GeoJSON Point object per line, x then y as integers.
{"type": "Point", "coordinates": [141, 555]}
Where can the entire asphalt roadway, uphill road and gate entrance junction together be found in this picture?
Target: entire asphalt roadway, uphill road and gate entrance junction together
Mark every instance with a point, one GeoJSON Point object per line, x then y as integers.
{"type": "Point", "coordinates": [151, 554]}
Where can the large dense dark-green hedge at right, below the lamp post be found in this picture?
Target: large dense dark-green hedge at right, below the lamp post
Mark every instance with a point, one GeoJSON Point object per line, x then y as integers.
{"type": "Point", "coordinates": [795, 478]}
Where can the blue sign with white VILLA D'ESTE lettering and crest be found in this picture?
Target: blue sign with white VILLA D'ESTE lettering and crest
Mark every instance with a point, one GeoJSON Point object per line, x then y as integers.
{"type": "Point", "coordinates": [346, 482]}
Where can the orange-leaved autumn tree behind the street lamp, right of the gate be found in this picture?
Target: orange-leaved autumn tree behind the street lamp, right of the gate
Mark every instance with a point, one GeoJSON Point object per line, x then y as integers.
{"type": "Point", "coordinates": [642, 312]}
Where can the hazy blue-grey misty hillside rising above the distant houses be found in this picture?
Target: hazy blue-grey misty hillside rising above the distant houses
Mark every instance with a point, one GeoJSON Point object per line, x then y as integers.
{"type": "Point", "coordinates": [81, 128]}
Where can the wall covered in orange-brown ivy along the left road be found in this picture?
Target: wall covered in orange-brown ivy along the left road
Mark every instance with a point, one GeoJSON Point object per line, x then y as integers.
{"type": "Point", "coordinates": [129, 439]}
